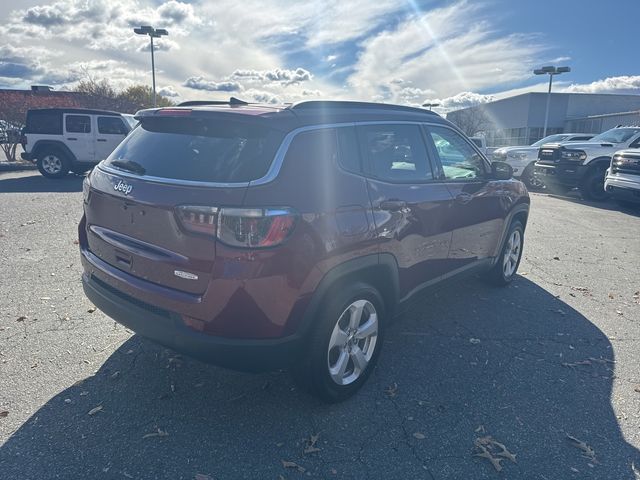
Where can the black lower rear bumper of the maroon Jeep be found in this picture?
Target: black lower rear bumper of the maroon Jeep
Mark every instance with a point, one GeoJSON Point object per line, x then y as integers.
{"type": "Point", "coordinates": [168, 329]}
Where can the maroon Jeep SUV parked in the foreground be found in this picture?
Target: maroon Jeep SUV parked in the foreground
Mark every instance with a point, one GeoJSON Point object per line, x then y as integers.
{"type": "Point", "coordinates": [259, 237]}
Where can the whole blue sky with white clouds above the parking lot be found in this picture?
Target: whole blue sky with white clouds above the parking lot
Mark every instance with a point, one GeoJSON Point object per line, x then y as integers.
{"type": "Point", "coordinates": [405, 51]}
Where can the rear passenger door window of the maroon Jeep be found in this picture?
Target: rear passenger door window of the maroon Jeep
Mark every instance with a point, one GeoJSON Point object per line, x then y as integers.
{"type": "Point", "coordinates": [396, 153]}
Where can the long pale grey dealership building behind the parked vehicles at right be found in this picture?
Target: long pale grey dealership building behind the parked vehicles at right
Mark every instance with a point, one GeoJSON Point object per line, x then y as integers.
{"type": "Point", "coordinates": [519, 120]}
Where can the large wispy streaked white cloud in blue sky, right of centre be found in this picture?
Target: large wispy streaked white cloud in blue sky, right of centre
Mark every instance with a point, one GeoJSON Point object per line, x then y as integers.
{"type": "Point", "coordinates": [447, 50]}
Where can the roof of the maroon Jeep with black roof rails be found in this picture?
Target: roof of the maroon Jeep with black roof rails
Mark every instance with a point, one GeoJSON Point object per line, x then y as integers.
{"type": "Point", "coordinates": [307, 113]}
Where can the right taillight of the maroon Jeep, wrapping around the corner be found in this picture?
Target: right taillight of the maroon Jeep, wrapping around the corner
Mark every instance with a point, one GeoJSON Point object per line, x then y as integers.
{"type": "Point", "coordinates": [240, 227]}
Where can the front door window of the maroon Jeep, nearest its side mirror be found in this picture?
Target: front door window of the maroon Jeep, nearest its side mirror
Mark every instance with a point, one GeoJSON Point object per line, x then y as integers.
{"type": "Point", "coordinates": [459, 160]}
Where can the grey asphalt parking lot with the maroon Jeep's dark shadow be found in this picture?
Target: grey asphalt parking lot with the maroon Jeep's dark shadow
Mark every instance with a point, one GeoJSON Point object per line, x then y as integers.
{"type": "Point", "coordinates": [551, 361]}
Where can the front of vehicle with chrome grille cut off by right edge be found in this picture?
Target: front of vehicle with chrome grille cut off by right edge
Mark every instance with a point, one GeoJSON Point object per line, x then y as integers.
{"type": "Point", "coordinates": [623, 177]}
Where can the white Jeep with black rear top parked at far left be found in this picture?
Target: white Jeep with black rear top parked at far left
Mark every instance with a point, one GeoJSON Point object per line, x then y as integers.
{"type": "Point", "coordinates": [60, 140]}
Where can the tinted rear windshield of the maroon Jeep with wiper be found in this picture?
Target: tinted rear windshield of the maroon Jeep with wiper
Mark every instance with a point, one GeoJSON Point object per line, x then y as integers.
{"type": "Point", "coordinates": [197, 150]}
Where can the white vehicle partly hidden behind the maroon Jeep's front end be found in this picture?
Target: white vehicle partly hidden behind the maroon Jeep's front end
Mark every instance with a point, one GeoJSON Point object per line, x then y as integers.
{"type": "Point", "coordinates": [523, 158]}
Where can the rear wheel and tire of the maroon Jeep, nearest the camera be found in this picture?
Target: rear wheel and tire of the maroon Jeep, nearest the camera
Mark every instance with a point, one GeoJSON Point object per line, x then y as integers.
{"type": "Point", "coordinates": [334, 343]}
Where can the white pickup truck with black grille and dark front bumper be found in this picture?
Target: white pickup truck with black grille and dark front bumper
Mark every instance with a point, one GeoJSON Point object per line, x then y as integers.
{"type": "Point", "coordinates": [562, 166]}
